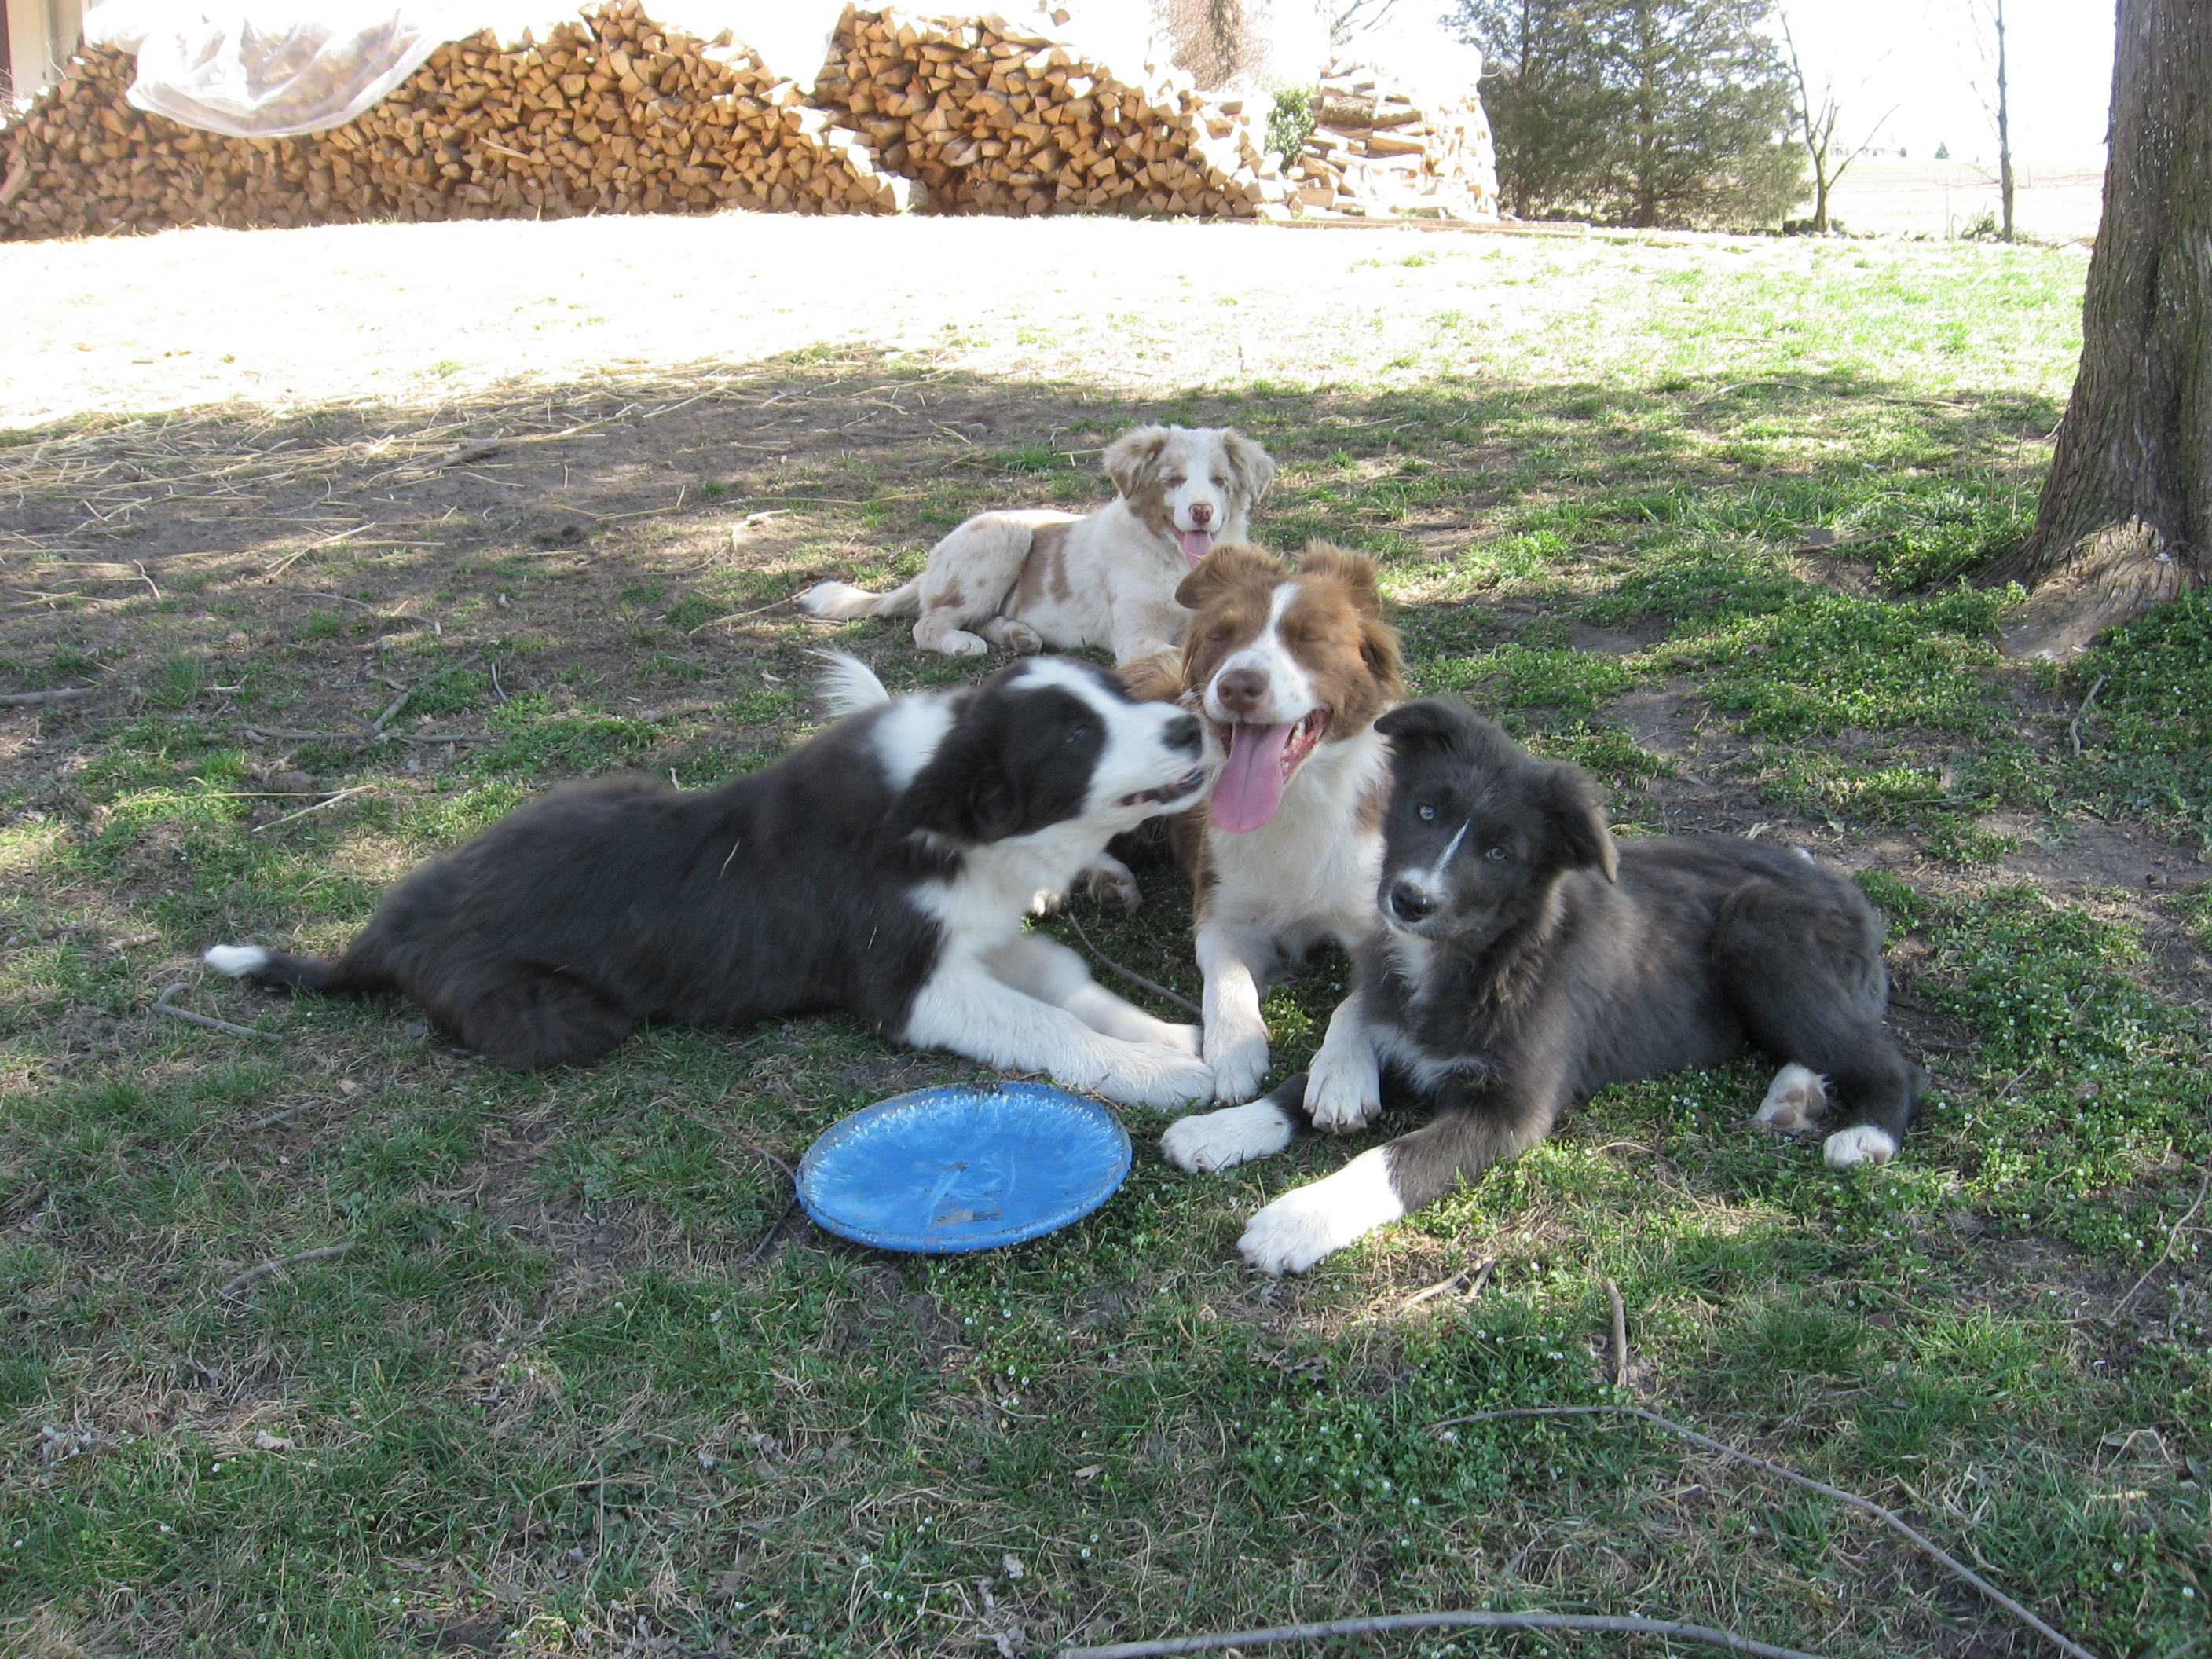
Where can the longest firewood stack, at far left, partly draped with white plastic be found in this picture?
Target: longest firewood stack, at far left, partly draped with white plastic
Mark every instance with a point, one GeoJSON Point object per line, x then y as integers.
{"type": "Point", "coordinates": [612, 114]}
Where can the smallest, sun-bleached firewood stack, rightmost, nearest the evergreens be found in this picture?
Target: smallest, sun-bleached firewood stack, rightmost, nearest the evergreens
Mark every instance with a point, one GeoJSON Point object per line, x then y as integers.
{"type": "Point", "coordinates": [1384, 152]}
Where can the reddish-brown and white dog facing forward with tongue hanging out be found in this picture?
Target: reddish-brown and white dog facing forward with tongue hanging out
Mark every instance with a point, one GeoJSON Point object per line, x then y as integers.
{"type": "Point", "coordinates": [1288, 669]}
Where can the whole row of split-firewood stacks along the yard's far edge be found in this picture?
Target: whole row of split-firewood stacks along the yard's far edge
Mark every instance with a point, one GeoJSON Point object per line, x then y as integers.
{"type": "Point", "coordinates": [618, 114]}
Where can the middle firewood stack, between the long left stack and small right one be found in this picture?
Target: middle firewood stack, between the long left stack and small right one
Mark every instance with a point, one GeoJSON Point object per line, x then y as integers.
{"type": "Point", "coordinates": [997, 116]}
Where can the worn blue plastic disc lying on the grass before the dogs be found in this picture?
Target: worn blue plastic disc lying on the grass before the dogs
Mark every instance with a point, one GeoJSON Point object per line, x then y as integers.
{"type": "Point", "coordinates": [963, 1169]}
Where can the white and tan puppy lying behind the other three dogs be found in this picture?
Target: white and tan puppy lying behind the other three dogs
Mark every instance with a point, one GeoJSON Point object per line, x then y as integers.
{"type": "Point", "coordinates": [1036, 578]}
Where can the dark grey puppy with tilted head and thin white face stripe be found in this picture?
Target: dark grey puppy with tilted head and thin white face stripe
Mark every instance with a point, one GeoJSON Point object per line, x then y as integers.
{"type": "Point", "coordinates": [1525, 961]}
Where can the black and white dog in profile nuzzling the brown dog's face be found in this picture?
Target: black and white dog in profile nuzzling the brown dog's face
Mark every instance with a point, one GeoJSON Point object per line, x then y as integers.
{"type": "Point", "coordinates": [884, 868]}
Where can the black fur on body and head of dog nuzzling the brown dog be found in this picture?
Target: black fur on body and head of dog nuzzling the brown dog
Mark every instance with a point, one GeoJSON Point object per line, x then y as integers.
{"type": "Point", "coordinates": [793, 890]}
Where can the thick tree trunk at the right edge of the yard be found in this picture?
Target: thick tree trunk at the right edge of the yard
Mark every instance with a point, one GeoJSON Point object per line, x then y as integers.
{"type": "Point", "coordinates": [2127, 512]}
